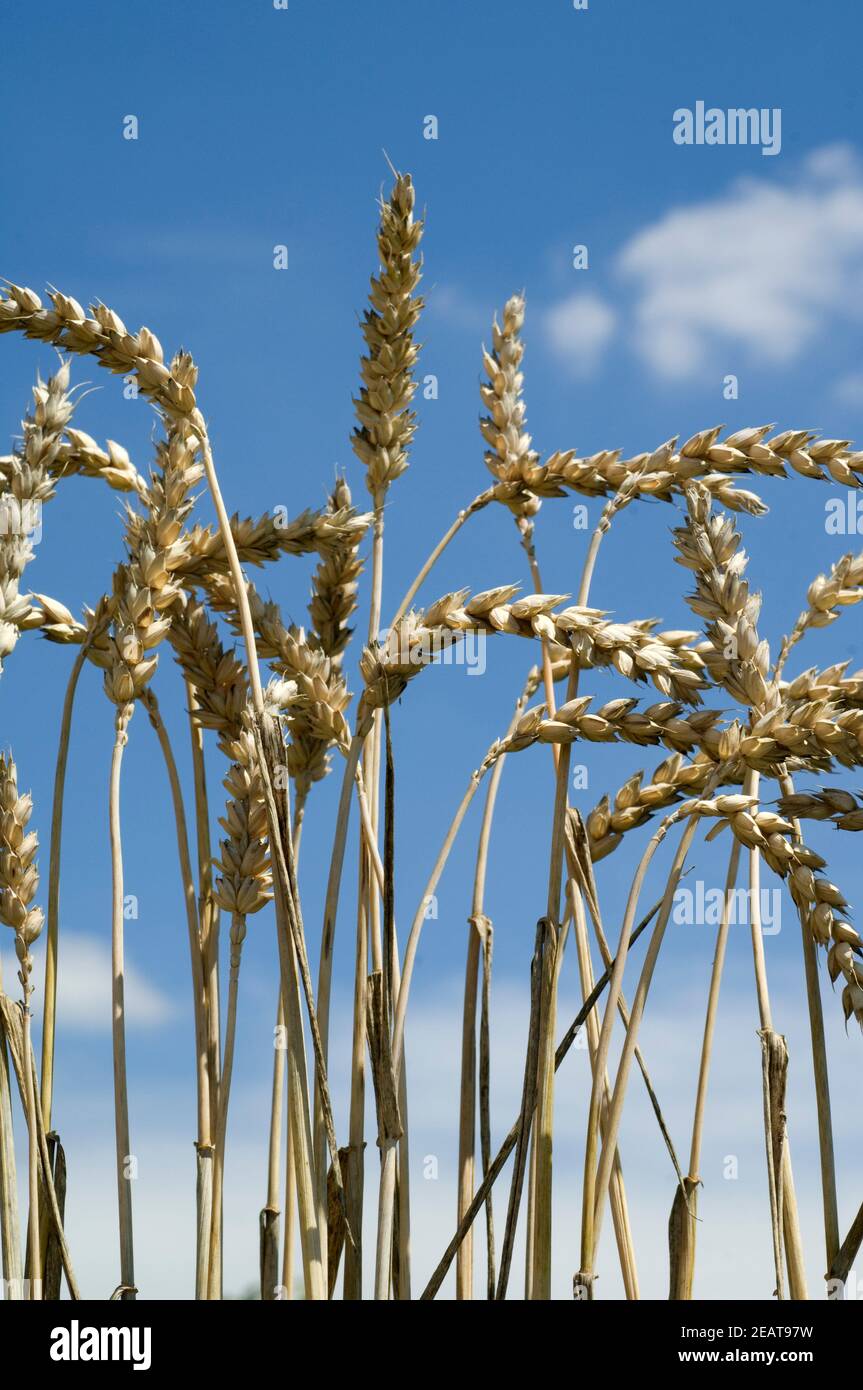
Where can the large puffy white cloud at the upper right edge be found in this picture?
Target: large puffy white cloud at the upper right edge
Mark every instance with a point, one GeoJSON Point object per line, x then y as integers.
{"type": "Point", "coordinates": [762, 270]}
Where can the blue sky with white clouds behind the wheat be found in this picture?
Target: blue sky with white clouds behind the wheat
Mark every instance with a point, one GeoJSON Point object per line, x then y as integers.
{"type": "Point", "coordinates": [555, 129]}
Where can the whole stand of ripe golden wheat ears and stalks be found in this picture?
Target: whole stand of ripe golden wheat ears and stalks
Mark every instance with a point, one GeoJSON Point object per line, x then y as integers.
{"type": "Point", "coordinates": [748, 739]}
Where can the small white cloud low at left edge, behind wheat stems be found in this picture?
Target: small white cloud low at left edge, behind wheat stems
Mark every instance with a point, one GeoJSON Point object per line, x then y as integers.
{"type": "Point", "coordinates": [84, 988]}
